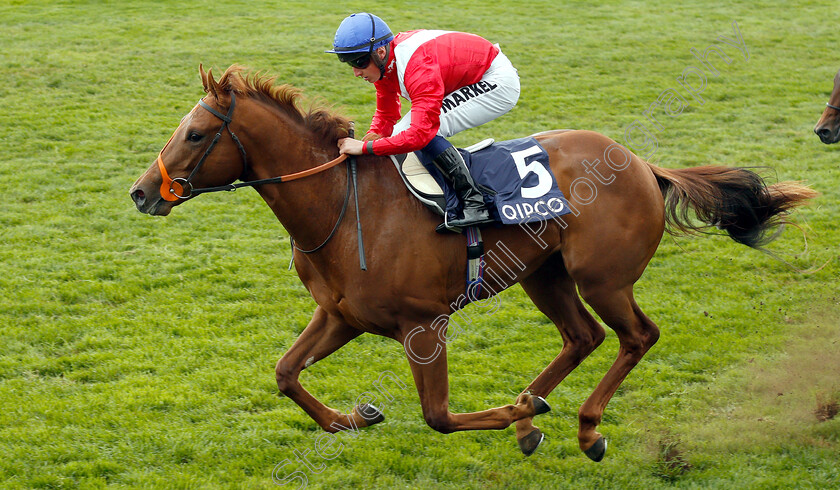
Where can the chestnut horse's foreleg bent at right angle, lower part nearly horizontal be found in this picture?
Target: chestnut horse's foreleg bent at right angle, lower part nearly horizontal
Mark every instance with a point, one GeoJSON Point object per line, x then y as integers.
{"type": "Point", "coordinates": [427, 357]}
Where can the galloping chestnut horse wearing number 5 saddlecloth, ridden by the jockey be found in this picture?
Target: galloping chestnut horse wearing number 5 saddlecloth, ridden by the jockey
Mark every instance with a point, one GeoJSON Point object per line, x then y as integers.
{"type": "Point", "coordinates": [620, 202]}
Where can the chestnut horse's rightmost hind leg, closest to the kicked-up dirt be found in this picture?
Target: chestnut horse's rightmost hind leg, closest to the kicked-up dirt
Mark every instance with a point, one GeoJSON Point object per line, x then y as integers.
{"type": "Point", "coordinates": [636, 334]}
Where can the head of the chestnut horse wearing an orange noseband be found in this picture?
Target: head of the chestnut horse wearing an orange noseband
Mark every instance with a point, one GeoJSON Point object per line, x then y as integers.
{"type": "Point", "coordinates": [204, 151]}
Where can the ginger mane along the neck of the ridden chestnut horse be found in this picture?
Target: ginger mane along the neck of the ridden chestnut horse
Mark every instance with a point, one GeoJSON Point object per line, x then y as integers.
{"type": "Point", "coordinates": [318, 119]}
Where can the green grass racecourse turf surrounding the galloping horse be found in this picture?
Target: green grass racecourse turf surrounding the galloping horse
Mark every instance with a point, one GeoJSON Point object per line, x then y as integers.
{"type": "Point", "coordinates": [139, 352]}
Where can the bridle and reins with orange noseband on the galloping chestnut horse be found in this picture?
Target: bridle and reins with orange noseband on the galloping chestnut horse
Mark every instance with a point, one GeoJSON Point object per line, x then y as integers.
{"type": "Point", "coordinates": [181, 188]}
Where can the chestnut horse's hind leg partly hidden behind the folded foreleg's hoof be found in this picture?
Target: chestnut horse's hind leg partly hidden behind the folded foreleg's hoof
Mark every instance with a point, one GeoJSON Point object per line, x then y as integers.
{"type": "Point", "coordinates": [554, 293]}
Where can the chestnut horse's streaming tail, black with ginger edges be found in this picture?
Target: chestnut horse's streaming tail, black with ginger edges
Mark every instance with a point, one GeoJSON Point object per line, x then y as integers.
{"type": "Point", "coordinates": [735, 200]}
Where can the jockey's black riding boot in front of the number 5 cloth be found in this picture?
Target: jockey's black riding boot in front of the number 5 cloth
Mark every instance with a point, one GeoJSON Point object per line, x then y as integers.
{"type": "Point", "coordinates": [453, 167]}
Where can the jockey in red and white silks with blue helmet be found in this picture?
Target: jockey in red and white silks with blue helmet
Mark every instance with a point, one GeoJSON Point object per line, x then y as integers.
{"type": "Point", "coordinates": [454, 81]}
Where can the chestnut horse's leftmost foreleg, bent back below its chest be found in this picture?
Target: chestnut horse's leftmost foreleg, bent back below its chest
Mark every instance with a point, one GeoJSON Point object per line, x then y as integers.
{"type": "Point", "coordinates": [323, 336]}
